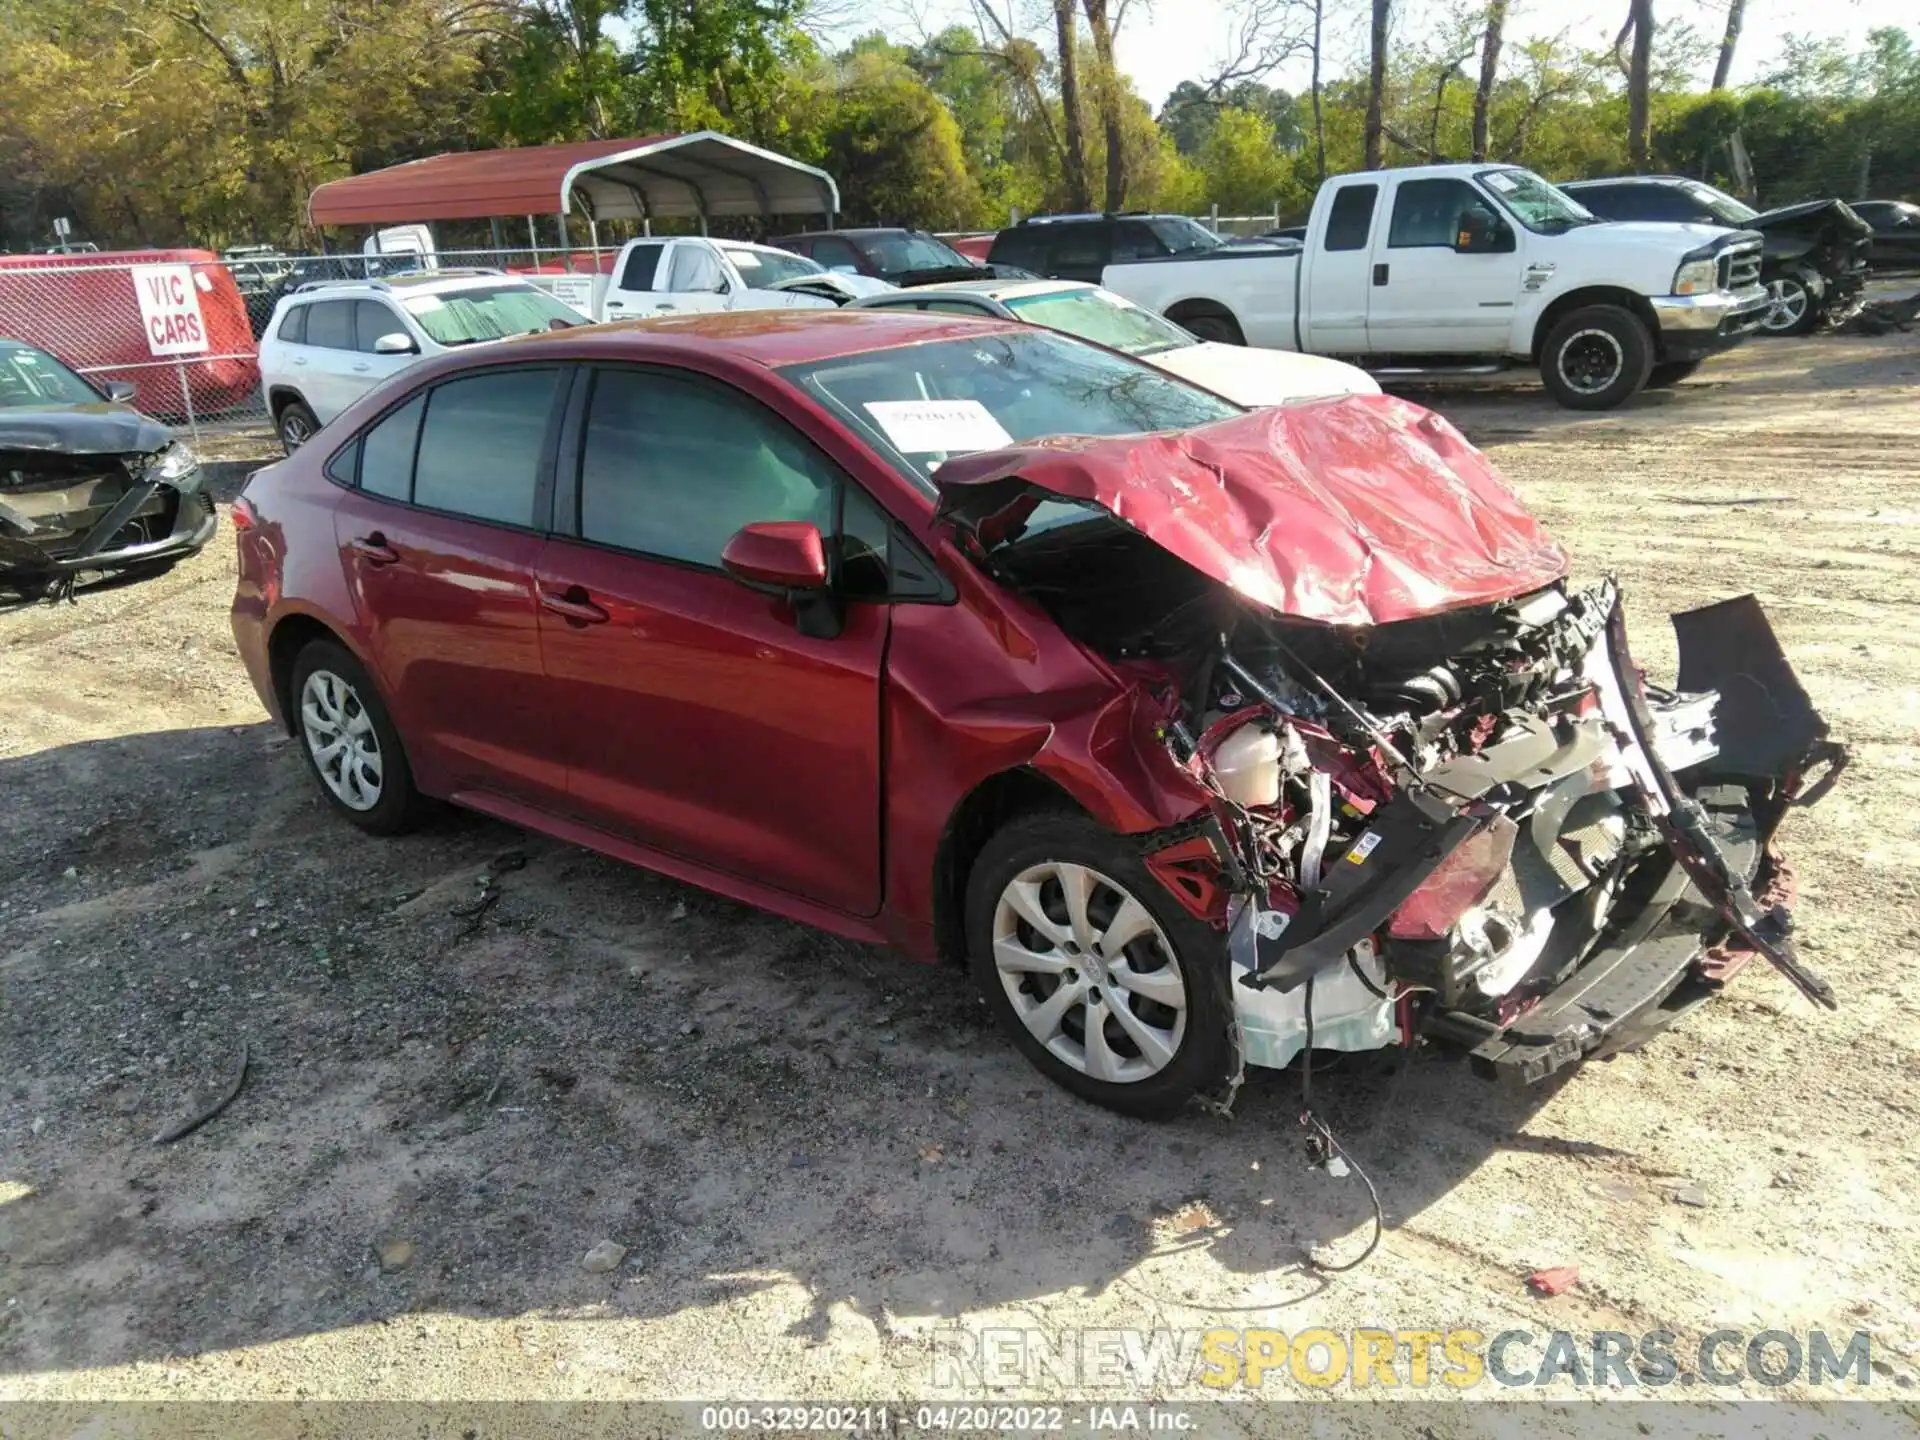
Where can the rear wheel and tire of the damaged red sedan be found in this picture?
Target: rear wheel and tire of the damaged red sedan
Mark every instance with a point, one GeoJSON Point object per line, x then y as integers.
{"type": "Point", "coordinates": [333, 700]}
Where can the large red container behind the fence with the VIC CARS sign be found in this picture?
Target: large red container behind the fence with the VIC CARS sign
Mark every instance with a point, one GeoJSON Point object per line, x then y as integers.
{"type": "Point", "coordinates": [85, 310]}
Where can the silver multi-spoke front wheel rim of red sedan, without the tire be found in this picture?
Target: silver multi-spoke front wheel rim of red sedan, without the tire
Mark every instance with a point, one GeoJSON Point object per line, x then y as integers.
{"type": "Point", "coordinates": [1090, 972]}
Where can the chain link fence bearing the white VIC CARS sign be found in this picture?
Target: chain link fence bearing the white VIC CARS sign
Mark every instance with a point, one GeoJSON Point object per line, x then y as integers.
{"type": "Point", "coordinates": [183, 331]}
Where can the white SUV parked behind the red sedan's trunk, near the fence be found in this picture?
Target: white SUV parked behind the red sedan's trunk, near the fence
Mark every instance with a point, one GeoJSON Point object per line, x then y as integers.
{"type": "Point", "coordinates": [333, 341]}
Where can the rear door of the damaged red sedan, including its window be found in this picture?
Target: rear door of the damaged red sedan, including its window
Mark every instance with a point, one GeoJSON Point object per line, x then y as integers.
{"type": "Point", "coordinates": [441, 550]}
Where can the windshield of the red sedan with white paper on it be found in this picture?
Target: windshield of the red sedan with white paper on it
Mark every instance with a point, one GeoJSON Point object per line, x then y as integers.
{"type": "Point", "coordinates": [924, 404]}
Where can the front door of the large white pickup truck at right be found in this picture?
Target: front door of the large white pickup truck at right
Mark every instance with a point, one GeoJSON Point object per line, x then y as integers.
{"type": "Point", "coordinates": [1428, 299]}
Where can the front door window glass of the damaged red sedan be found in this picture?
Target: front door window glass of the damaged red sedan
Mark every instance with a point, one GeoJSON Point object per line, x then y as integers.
{"type": "Point", "coordinates": [675, 468]}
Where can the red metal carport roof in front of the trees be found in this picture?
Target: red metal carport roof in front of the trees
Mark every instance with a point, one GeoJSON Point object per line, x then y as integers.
{"type": "Point", "coordinates": [644, 178]}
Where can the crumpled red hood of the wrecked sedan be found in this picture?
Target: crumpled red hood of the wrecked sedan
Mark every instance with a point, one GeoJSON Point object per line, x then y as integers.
{"type": "Point", "coordinates": [1351, 512]}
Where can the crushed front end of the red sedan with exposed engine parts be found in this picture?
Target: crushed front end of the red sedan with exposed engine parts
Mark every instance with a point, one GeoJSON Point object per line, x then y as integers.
{"type": "Point", "coordinates": [1483, 827]}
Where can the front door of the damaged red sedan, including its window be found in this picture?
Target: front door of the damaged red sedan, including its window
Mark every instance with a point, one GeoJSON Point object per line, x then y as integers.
{"type": "Point", "coordinates": [700, 719]}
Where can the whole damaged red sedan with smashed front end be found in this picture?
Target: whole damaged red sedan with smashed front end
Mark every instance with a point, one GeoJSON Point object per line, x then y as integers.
{"type": "Point", "coordinates": [1201, 736]}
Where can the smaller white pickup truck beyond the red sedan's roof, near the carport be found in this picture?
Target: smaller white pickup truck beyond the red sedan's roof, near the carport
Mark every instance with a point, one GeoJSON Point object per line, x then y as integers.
{"type": "Point", "coordinates": [698, 274]}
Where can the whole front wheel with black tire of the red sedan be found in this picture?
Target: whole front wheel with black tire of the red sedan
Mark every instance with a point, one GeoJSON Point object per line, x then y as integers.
{"type": "Point", "coordinates": [1153, 1059]}
